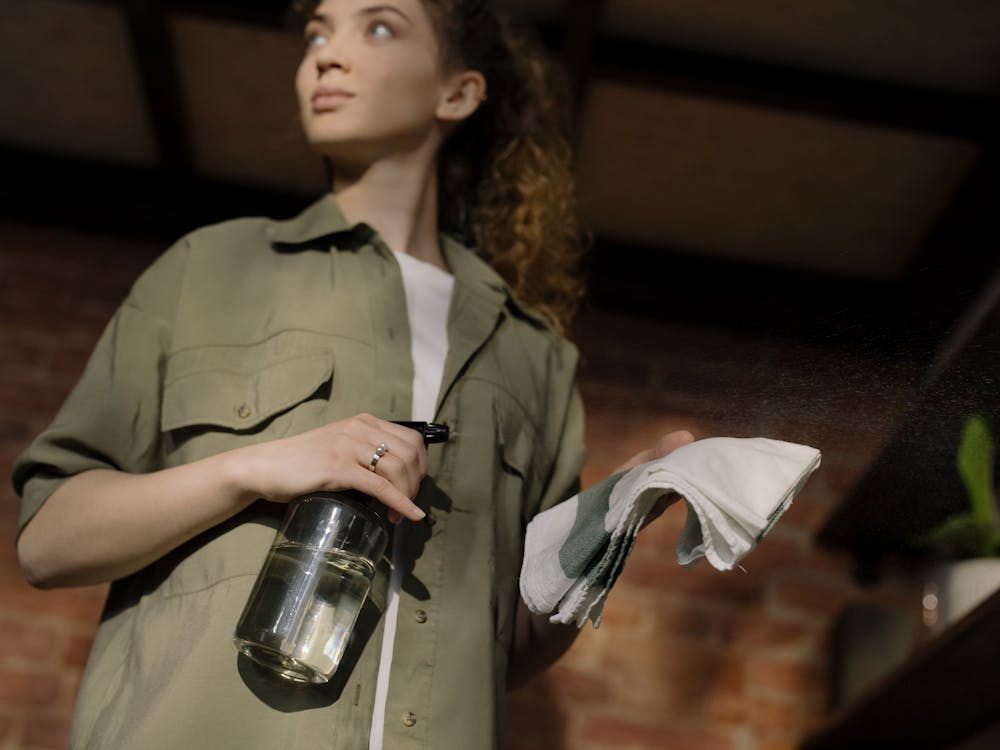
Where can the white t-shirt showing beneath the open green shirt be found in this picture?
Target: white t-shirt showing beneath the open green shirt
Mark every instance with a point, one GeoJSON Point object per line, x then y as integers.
{"type": "Point", "coordinates": [428, 298]}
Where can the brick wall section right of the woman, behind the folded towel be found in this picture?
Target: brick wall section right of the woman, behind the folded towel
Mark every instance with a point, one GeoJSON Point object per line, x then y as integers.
{"type": "Point", "coordinates": [695, 658]}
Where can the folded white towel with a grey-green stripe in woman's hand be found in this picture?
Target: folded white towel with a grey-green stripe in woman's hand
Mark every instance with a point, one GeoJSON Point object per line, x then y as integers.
{"type": "Point", "coordinates": [735, 488]}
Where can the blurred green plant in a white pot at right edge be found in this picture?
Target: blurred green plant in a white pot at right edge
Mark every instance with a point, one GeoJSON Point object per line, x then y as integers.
{"type": "Point", "coordinates": [967, 542]}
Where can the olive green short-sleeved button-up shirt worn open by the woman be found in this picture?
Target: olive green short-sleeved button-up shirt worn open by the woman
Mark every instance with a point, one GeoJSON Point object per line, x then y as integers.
{"type": "Point", "coordinates": [255, 329]}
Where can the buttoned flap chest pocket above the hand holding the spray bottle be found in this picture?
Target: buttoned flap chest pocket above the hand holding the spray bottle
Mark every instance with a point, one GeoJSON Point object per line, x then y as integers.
{"type": "Point", "coordinates": [244, 390]}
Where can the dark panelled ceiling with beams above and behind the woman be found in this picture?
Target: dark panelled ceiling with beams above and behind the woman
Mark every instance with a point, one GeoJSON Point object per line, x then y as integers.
{"type": "Point", "coordinates": [822, 171]}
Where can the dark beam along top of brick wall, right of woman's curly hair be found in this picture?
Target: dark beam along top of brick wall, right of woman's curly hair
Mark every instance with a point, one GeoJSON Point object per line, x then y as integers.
{"type": "Point", "coordinates": [679, 285]}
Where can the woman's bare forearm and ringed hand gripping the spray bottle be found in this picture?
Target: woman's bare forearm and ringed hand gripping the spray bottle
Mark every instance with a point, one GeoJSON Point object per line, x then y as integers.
{"type": "Point", "coordinates": [92, 528]}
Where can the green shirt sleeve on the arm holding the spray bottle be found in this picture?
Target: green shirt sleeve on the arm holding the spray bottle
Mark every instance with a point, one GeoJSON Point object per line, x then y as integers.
{"type": "Point", "coordinates": [111, 418]}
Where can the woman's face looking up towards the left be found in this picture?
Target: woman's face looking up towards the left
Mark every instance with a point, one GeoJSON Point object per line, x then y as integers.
{"type": "Point", "coordinates": [371, 81]}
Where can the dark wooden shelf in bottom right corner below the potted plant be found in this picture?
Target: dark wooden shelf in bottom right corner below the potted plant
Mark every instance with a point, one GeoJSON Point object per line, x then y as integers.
{"type": "Point", "coordinates": [946, 692]}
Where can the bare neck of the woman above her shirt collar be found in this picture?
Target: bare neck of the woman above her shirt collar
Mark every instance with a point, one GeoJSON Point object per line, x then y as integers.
{"type": "Point", "coordinates": [398, 197]}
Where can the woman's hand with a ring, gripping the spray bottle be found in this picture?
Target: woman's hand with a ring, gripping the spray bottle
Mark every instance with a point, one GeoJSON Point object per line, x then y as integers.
{"type": "Point", "coordinates": [338, 456]}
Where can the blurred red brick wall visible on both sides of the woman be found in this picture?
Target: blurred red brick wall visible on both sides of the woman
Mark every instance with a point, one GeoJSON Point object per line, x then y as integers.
{"type": "Point", "coordinates": [684, 658]}
